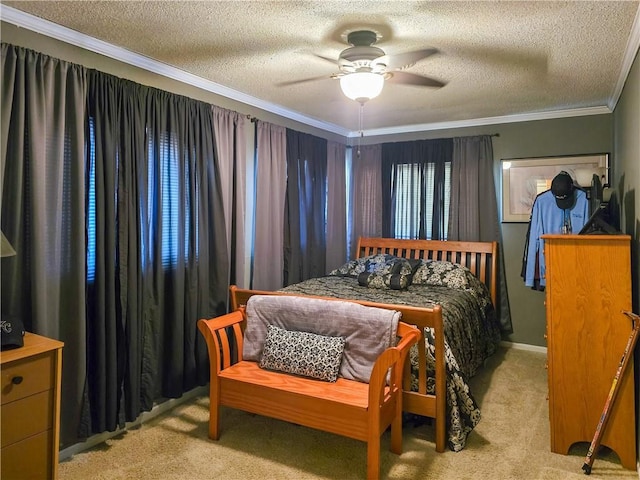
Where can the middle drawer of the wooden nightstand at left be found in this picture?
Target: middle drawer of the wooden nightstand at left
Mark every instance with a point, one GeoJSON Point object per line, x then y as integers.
{"type": "Point", "coordinates": [26, 417]}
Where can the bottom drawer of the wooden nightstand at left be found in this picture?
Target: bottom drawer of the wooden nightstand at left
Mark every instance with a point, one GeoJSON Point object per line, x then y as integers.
{"type": "Point", "coordinates": [29, 459]}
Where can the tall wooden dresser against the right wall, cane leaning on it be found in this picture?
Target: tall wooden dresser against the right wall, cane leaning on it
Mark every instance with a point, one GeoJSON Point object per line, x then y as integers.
{"type": "Point", "coordinates": [588, 286]}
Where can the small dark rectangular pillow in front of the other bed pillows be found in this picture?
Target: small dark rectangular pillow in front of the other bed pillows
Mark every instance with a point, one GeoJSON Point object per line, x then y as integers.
{"type": "Point", "coordinates": [389, 272]}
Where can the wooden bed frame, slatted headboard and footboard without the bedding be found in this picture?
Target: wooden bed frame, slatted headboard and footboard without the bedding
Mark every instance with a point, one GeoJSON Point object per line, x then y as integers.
{"type": "Point", "coordinates": [479, 257]}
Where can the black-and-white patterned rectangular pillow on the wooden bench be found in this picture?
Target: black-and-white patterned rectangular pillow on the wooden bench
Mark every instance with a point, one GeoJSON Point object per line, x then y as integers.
{"type": "Point", "coordinates": [302, 353]}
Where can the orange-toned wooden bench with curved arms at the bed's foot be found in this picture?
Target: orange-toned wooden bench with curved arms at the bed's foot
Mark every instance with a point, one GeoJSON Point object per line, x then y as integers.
{"type": "Point", "coordinates": [346, 407]}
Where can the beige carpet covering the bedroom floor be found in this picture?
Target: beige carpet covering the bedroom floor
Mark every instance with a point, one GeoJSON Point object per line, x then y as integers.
{"type": "Point", "coordinates": [511, 442]}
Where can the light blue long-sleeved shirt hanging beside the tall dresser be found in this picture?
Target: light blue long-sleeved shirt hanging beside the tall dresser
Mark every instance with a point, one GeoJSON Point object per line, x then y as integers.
{"type": "Point", "coordinates": [546, 217]}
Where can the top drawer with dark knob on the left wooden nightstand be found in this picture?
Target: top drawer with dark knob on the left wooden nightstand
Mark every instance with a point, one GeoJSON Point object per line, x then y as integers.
{"type": "Point", "coordinates": [27, 376]}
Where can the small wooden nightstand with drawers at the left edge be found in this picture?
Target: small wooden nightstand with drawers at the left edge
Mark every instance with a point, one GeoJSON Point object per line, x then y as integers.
{"type": "Point", "coordinates": [30, 410]}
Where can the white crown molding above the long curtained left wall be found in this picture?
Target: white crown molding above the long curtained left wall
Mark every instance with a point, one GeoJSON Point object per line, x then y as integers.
{"type": "Point", "coordinates": [67, 35]}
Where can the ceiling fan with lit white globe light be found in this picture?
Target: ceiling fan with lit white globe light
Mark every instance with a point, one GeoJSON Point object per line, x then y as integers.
{"type": "Point", "coordinates": [364, 67]}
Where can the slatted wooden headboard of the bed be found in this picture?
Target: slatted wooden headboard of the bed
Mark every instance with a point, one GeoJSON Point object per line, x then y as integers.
{"type": "Point", "coordinates": [479, 257]}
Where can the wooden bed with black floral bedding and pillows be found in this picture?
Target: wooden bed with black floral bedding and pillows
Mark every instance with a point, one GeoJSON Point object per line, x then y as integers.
{"type": "Point", "coordinates": [458, 276]}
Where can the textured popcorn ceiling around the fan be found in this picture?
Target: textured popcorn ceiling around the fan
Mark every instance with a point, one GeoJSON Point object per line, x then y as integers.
{"type": "Point", "coordinates": [498, 59]}
